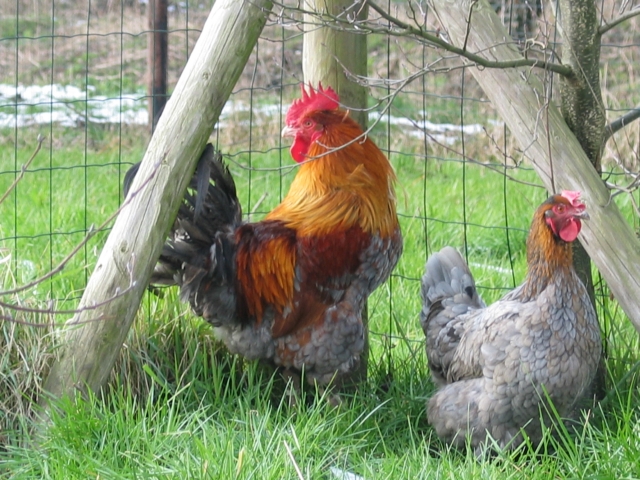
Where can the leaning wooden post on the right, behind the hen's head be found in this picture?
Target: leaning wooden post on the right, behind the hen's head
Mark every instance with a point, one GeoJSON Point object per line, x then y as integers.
{"type": "Point", "coordinates": [550, 145]}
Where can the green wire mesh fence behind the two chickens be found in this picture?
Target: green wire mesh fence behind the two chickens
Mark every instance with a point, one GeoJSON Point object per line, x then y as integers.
{"type": "Point", "coordinates": [74, 73]}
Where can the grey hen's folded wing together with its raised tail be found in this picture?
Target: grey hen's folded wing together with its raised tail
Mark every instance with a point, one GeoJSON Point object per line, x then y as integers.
{"type": "Point", "coordinates": [465, 339]}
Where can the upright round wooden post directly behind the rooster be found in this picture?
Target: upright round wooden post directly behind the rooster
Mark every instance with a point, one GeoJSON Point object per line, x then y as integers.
{"type": "Point", "coordinates": [327, 53]}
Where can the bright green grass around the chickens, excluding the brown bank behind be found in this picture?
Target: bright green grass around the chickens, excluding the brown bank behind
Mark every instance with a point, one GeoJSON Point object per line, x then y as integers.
{"type": "Point", "coordinates": [177, 406]}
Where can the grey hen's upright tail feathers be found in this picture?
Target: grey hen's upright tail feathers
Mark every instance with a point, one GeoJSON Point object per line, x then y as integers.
{"type": "Point", "coordinates": [448, 280]}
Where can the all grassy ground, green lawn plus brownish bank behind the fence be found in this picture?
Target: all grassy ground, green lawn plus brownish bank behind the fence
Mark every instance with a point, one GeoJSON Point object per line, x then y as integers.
{"type": "Point", "coordinates": [177, 405]}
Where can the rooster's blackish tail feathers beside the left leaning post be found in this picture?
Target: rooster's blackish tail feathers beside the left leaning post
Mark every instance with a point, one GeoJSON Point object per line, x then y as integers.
{"type": "Point", "coordinates": [201, 242]}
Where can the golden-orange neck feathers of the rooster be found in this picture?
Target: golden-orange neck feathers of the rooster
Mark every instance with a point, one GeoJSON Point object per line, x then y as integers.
{"type": "Point", "coordinates": [347, 182]}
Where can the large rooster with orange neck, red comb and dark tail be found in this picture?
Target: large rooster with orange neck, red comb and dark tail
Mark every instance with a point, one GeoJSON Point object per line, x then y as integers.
{"type": "Point", "coordinates": [290, 289]}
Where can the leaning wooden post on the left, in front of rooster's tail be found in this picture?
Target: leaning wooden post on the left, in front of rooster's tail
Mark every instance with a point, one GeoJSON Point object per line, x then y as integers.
{"type": "Point", "coordinates": [89, 350]}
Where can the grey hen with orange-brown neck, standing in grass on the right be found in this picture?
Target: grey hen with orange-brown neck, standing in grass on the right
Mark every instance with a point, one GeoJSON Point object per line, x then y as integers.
{"type": "Point", "coordinates": [495, 367]}
